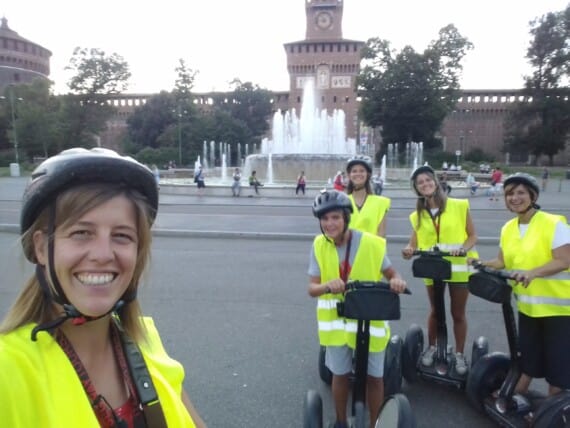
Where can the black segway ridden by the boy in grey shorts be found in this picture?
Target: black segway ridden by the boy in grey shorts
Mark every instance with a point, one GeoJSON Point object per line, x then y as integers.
{"type": "Point", "coordinates": [365, 302]}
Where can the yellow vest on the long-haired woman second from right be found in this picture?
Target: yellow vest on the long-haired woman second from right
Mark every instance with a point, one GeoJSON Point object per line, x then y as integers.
{"type": "Point", "coordinates": [452, 234]}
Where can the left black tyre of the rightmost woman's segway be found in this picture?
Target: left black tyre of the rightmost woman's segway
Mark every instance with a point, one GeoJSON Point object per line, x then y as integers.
{"type": "Point", "coordinates": [486, 376]}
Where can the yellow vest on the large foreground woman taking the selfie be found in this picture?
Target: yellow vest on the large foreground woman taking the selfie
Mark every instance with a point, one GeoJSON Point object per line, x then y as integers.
{"type": "Point", "coordinates": [40, 388]}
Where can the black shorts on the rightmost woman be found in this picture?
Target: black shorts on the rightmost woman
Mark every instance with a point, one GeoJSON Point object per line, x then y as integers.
{"type": "Point", "coordinates": [544, 344]}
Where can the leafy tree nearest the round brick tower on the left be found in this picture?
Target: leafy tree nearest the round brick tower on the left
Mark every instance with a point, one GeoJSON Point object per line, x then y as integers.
{"type": "Point", "coordinates": [85, 110]}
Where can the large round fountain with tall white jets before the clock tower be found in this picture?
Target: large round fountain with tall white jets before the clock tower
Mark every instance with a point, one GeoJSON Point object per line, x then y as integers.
{"type": "Point", "coordinates": [315, 143]}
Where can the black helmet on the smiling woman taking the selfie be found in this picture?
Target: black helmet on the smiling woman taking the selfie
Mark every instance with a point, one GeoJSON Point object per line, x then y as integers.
{"type": "Point", "coordinates": [78, 166]}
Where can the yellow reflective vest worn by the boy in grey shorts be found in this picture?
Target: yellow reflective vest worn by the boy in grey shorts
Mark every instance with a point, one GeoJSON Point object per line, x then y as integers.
{"type": "Point", "coordinates": [337, 331]}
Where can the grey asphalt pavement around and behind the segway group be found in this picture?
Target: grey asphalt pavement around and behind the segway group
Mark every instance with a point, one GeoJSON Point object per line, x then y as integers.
{"type": "Point", "coordinates": [234, 309]}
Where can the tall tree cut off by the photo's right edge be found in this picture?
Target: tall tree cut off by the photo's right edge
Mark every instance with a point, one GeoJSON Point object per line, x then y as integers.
{"type": "Point", "coordinates": [540, 125]}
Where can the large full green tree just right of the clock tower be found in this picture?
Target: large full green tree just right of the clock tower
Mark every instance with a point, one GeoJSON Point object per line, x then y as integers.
{"type": "Point", "coordinates": [408, 94]}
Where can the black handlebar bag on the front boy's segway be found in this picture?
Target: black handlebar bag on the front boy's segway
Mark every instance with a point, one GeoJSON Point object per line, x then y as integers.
{"type": "Point", "coordinates": [370, 304]}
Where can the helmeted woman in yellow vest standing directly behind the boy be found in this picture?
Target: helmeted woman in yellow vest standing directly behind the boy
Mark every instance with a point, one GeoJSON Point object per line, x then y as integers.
{"type": "Point", "coordinates": [369, 210]}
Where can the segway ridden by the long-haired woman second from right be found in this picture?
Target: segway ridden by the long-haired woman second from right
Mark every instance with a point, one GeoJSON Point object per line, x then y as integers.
{"type": "Point", "coordinates": [431, 264]}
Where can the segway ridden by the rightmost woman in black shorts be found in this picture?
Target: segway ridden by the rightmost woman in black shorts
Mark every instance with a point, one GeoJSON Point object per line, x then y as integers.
{"type": "Point", "coordinates": [492, 381]}
